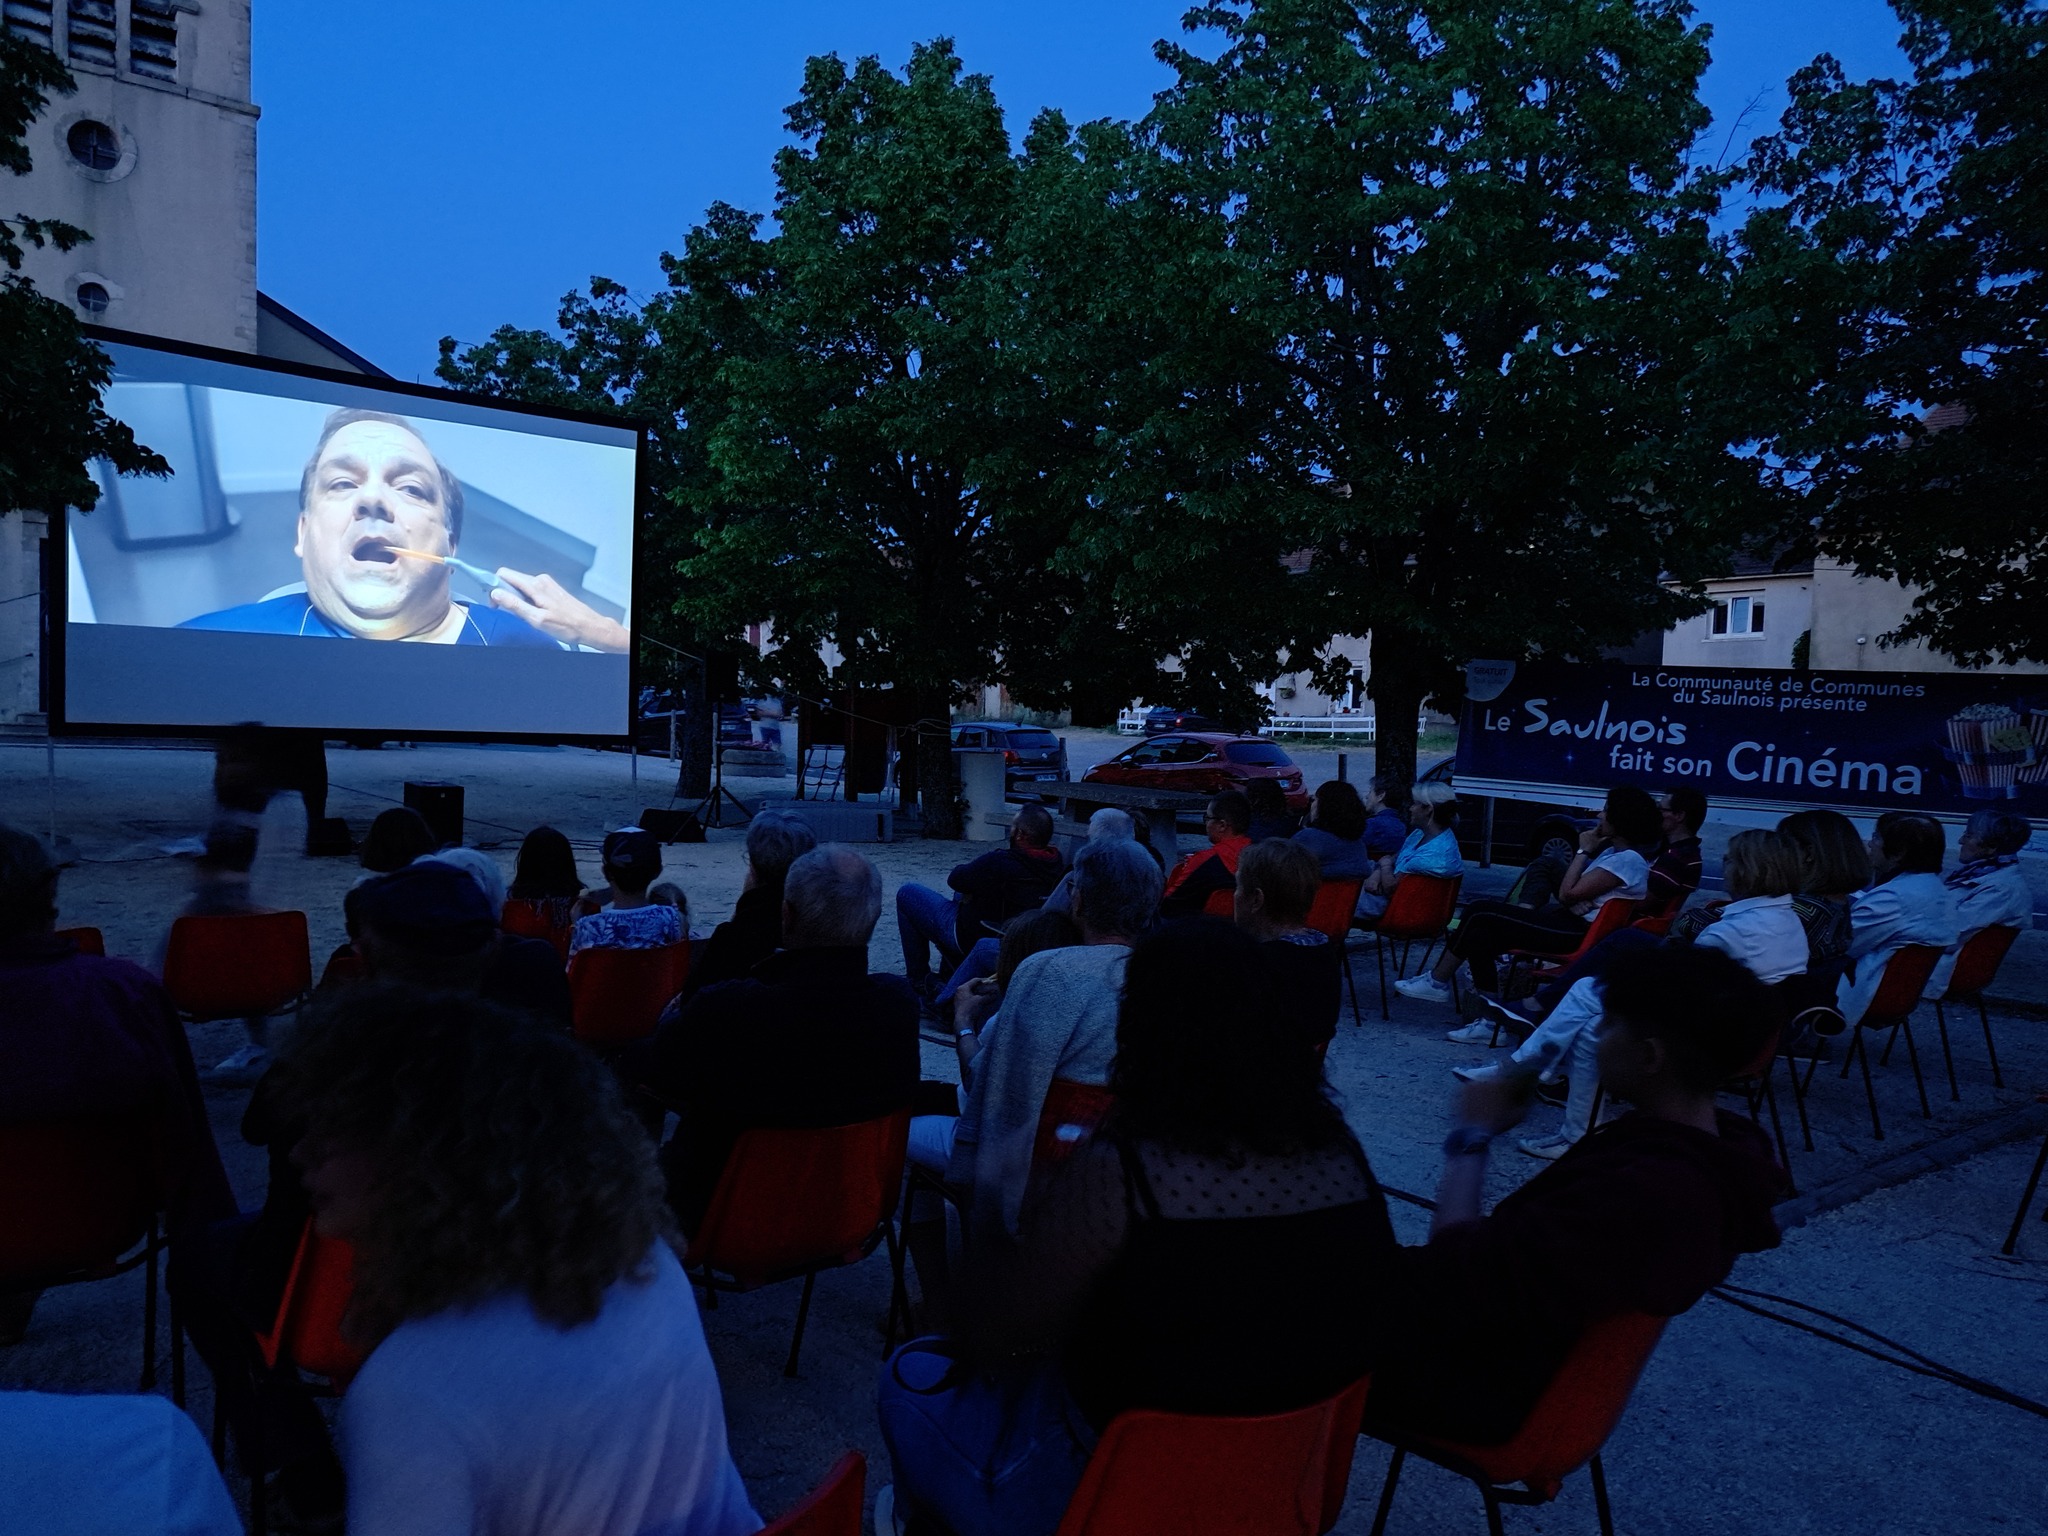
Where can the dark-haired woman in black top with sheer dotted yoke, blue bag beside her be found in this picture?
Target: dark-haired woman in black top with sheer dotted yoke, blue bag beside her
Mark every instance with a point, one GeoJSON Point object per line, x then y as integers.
{"type": "Point", "coordinates": [1224, 1175]}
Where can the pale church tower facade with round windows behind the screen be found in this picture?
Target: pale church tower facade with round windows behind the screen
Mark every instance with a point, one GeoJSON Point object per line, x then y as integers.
{"type": "Point", "coordinates": [155, 157]}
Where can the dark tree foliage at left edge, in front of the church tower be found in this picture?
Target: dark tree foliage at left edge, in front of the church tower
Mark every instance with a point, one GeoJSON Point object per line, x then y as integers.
{"type": "Point", "coordinates": [52, 378]}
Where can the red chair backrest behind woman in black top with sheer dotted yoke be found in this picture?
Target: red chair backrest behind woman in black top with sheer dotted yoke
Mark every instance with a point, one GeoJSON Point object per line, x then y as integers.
{"type": "Point", "coordinates": [1193, 1476]}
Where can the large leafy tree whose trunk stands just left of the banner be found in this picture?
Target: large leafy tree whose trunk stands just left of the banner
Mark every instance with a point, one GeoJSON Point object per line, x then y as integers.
{"type": "Point", "coordinates": [1457, 286]}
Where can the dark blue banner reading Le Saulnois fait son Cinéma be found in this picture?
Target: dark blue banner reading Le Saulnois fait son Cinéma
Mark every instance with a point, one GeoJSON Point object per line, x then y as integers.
{"type": "Point", "coordinates": [1945, 742]}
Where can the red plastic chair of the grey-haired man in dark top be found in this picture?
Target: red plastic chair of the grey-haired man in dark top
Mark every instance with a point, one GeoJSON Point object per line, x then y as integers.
{"type": "Point", "coordinates": [798, 1201]}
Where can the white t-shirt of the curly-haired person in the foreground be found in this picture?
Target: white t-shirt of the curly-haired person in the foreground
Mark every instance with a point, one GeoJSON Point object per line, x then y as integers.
{"type": "Point", "coordinates": [495, 1420]}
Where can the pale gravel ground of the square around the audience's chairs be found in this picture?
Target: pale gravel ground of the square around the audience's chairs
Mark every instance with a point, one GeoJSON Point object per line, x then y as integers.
{"type": "Point", "coordinates": [1740, 1422]}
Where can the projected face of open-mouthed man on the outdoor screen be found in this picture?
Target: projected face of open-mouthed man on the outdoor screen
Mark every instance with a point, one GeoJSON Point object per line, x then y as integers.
{"type": "Point", "coordinates": [376, 488]}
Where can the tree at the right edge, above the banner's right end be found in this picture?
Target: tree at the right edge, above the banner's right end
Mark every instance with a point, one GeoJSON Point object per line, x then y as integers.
{"type": "Point", "coordinates": [1904, 271]}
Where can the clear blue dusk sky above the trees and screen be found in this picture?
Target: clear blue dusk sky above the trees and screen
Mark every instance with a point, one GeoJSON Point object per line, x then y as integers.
{"type": "Point", "coordinates": [445, 169]}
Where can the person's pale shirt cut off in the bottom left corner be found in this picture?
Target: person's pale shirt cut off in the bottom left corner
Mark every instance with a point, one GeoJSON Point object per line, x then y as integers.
{"type": "Point", "coordinates": [91, 1463]}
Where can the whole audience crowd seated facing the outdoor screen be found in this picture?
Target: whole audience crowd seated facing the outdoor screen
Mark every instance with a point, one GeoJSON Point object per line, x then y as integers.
{"type": "Point", "coordinates": [1140, 1193]}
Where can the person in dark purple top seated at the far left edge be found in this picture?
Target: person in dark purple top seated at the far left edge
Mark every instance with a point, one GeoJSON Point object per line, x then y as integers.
{"type": "Point", "coordinates": [87, 1035]}
